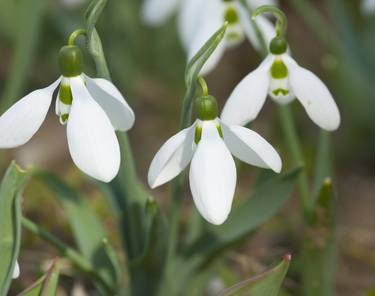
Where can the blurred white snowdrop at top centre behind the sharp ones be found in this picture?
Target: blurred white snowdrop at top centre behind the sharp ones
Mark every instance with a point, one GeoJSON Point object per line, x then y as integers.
{"type": "Point", "coordinates": [199, 20]}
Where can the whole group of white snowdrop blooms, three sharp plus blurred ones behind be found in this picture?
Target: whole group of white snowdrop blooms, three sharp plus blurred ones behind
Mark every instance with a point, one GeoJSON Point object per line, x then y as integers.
{"type": "Point", "coordinates": [93, 109]}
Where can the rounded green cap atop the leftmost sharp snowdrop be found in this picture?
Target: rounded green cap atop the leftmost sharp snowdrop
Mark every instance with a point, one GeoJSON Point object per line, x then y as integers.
{"type": "Point", "coordinates": [70, 61]}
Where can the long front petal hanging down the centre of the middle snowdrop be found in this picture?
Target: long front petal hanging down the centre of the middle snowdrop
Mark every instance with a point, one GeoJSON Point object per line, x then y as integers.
{"type": "Point", "coordinates": [212, 176]}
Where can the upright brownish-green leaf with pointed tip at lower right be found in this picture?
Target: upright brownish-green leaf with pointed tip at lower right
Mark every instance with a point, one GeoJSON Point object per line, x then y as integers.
{"type": "Point", "coordinates": [319, 246]}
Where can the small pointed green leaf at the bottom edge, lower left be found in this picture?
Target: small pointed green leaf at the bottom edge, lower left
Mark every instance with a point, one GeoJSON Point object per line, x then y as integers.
{"type": "Point", "coordinates": [46, 285]}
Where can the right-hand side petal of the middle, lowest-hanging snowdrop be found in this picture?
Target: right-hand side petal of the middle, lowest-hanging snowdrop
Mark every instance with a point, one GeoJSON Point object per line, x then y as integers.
{"type": "Point", "coordinates": [250, 147]}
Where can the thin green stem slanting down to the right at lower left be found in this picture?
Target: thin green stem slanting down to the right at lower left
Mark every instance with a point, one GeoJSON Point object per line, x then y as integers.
{"type": "Point", "coordinates": [76, 258]}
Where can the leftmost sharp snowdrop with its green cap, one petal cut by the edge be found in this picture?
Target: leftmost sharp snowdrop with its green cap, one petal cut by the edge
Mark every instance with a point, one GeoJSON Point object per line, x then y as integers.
{"type": "Point", "coordinates": [92, 109]}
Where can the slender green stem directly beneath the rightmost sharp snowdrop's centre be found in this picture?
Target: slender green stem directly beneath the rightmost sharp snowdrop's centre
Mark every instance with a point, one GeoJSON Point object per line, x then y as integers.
{"type": "Point", "coordinates": [291, 135]}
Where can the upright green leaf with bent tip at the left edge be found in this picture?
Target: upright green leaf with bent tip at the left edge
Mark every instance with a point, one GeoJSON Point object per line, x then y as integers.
{"type": "Point", "coordinates": [10, 230]}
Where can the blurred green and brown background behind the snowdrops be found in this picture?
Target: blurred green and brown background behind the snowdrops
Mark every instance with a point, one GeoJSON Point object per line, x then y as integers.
{"type": "Point", "coordinates": [333, 38]}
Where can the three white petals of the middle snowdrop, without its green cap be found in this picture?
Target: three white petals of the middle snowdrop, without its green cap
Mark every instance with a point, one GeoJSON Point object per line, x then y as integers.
{"type": "Point", "coordinates": [209, 145]}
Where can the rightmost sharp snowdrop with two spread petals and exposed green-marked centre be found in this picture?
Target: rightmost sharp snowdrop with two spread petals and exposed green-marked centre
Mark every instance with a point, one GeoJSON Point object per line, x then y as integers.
{"type": "Point", "coordinates": [280, 77]}
